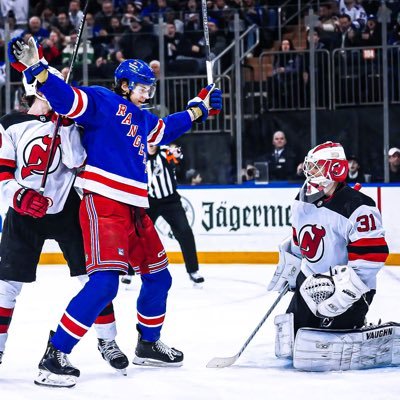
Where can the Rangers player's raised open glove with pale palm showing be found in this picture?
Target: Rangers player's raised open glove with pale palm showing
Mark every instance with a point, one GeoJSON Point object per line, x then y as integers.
{"type": "Point", "coordinates": [27, 58]}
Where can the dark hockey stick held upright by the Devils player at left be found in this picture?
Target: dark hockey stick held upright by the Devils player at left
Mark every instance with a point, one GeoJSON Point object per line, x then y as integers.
{"type": "Point", "coordinates": [59, 117]}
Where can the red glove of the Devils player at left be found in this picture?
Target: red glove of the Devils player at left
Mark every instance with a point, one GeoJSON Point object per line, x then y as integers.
{"type": "Point", "coordinates": [29, 202]}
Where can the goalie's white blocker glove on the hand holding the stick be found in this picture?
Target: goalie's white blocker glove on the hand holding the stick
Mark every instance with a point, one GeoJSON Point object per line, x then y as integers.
{"type": "Point", "coordinates": [287, 269]}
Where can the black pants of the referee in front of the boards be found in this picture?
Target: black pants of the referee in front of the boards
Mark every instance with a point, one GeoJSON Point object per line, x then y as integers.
{"type": "Point", "coordinates": [171, 209]}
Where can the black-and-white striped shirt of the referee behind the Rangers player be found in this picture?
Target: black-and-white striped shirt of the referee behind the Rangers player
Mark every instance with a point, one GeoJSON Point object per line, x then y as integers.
{"type": "Point", "coordinates": [161, 175]}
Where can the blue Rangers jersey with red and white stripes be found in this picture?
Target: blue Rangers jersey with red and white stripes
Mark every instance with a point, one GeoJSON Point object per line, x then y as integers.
{"type": "Point", "coordinates": [115, 138]}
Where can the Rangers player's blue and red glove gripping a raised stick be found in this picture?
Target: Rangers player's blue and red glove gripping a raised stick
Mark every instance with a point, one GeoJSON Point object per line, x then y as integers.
{"type": "Point", "coordinates": [207, 102]}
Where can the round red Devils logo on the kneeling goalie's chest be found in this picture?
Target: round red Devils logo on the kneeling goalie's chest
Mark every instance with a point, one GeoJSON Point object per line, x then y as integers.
{"type": "Point", "coordinates": [311, 240]}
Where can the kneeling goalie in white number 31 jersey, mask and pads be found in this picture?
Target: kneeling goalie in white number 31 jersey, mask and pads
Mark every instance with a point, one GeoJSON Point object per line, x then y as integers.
{"type": "Point", "coordinates": [331, 263]}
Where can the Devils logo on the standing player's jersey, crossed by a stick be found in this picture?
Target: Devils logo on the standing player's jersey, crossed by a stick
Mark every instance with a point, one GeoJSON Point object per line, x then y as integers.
{"type": "Point", "coordinates": [35, 156]}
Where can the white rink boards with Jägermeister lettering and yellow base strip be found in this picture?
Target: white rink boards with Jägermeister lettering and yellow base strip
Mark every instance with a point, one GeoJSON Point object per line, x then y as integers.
{"type": "Point", "coordinates": [246, 224]}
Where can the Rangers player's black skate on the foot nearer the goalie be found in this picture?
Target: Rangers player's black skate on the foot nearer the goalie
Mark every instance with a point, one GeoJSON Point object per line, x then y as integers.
{"type": "Point", "coordinates": [156, 354]}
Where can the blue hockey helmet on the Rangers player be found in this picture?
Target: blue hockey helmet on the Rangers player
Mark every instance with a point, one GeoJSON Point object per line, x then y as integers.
{"type": "Point", "coordinates": [136, 72]}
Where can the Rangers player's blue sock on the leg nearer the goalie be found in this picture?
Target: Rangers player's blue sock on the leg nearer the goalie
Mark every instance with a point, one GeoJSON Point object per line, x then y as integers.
{"type": "Point", "coordinates": [152, 304]}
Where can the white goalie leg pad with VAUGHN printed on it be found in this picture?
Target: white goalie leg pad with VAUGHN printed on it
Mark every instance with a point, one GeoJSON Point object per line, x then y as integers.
{"type": "Point", "coordinates": [341, 350]}
